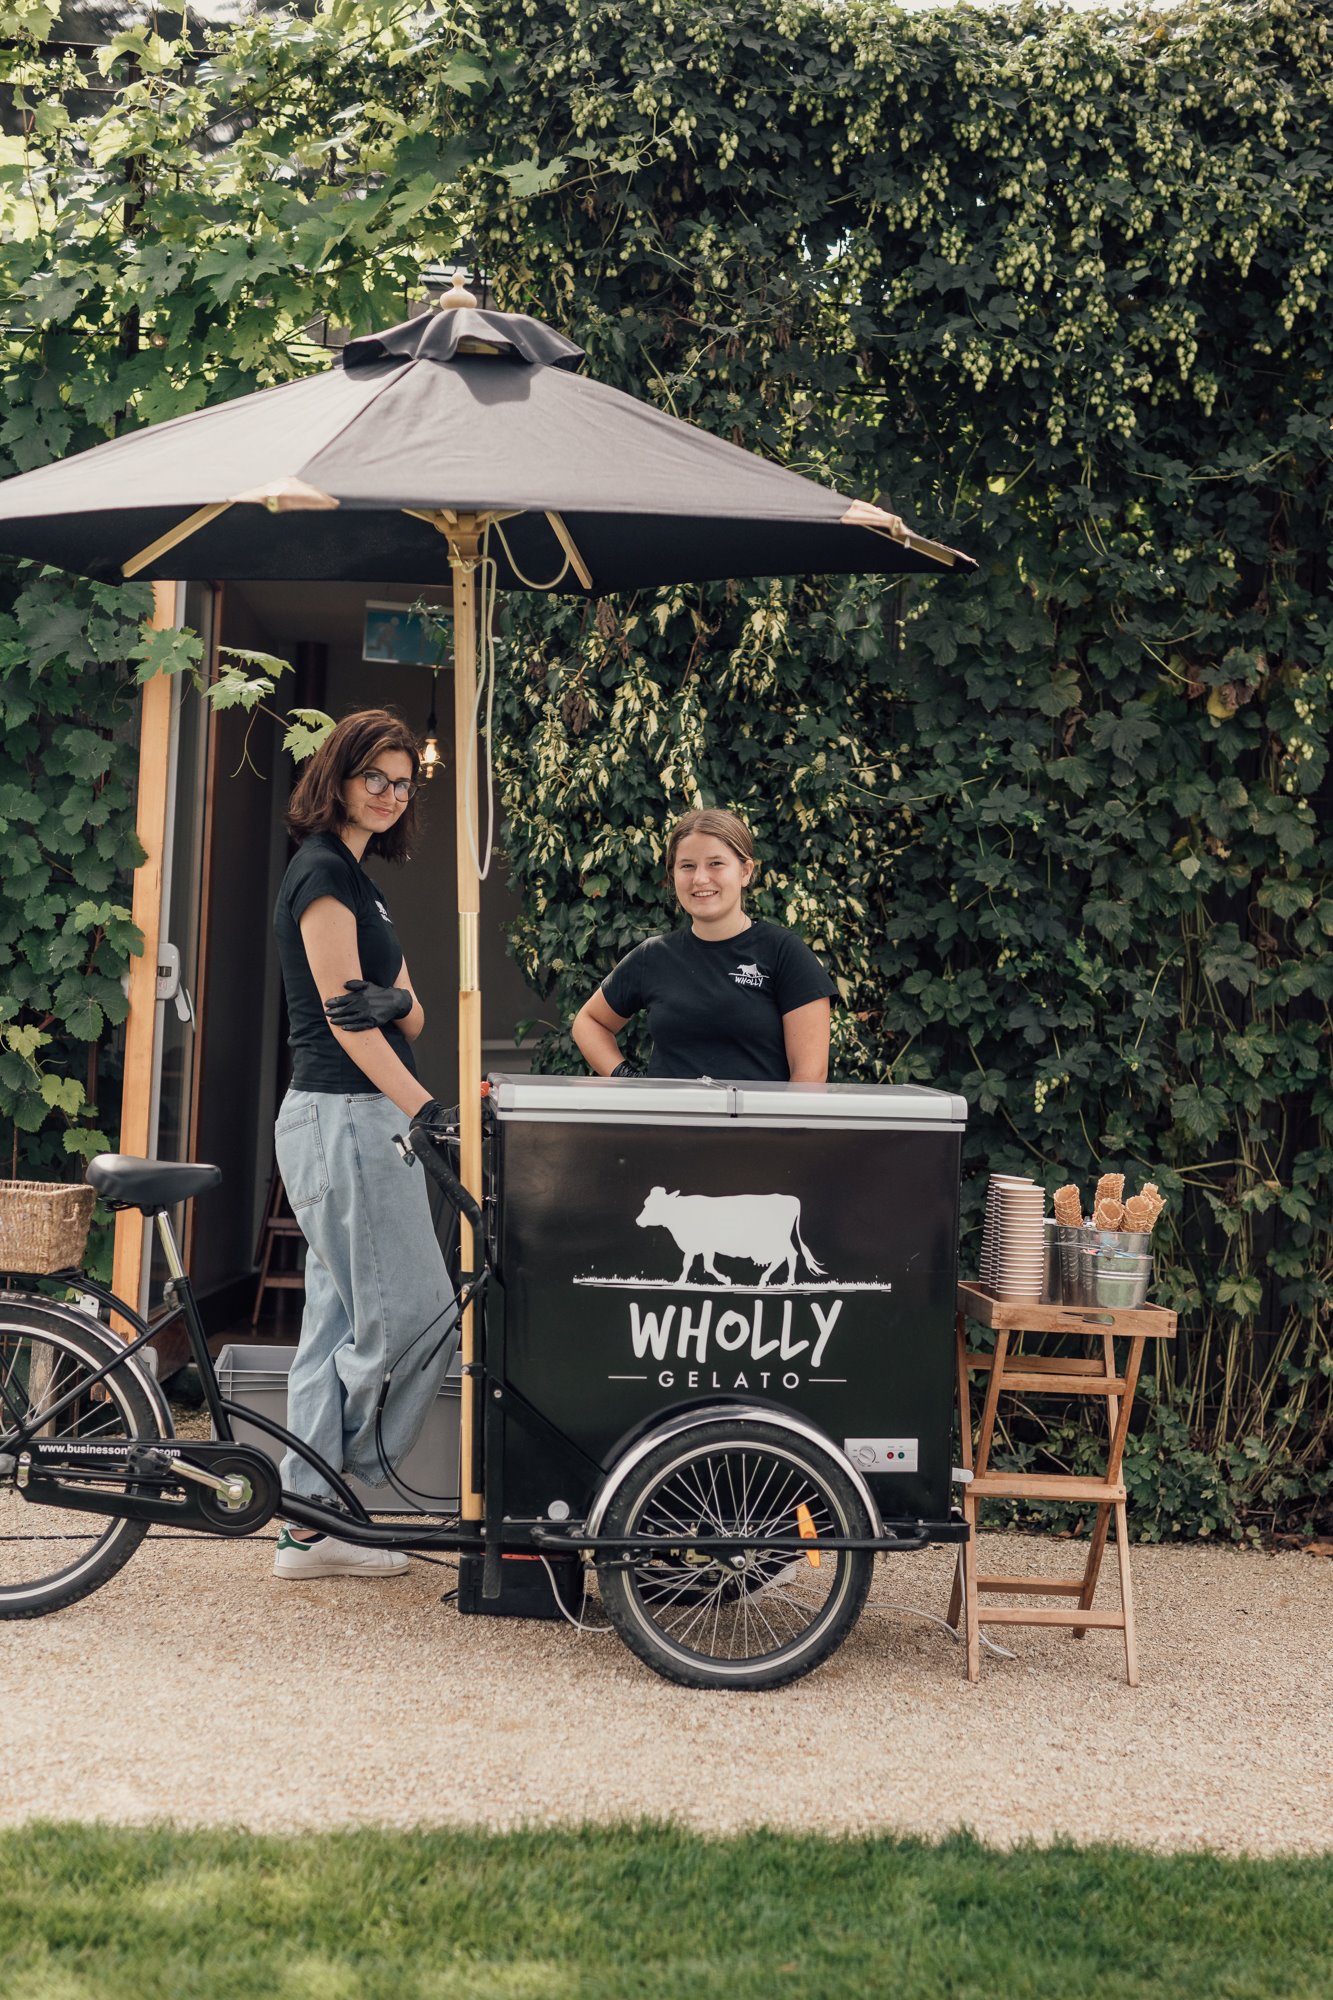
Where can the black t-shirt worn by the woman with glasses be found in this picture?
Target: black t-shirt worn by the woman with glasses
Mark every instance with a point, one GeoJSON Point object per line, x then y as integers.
{"type": "Point", "coordinates": [325, 867]}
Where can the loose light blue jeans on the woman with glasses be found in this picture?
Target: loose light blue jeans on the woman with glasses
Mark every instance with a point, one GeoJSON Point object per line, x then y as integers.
{"type": "Point", "coordinates": [375, 1281]}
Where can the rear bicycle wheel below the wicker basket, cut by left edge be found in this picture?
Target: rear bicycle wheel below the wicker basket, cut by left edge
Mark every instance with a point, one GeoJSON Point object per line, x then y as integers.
{"type": "Point", "coordinates": [53, 1557]}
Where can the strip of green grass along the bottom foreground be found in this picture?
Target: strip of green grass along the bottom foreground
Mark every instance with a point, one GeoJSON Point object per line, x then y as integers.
{"type": "Point", "coordinates": [651, 1911]}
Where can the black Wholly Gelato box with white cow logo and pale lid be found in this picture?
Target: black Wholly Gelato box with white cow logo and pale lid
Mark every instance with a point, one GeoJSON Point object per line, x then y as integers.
{"type": "Point", "coordinates": [661, 1245]}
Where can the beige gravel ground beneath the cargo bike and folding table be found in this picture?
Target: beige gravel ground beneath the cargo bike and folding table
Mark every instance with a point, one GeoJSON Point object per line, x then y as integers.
{"type": "Point", "coordinates": [199, 1689]}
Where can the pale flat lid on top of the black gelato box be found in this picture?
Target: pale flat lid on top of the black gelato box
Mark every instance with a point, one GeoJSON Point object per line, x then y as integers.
{"type": "Point", "coordinates": [655, 1099]}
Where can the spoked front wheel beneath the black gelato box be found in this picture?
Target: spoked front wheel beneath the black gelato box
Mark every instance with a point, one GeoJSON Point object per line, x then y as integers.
{"type": "Point", "coordinates": [736, 1621]}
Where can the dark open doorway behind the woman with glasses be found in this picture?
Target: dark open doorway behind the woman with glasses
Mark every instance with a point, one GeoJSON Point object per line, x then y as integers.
{"type": "Point", "coordinates": [227, 1067]}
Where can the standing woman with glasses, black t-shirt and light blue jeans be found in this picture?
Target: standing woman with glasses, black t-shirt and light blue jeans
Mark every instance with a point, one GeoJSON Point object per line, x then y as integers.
{"type": "Point", "coordinates": [375, 1275]}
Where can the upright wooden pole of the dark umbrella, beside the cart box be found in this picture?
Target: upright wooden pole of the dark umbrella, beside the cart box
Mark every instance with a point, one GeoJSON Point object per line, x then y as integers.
{"type": "Point", "coordinates": [463, 559]}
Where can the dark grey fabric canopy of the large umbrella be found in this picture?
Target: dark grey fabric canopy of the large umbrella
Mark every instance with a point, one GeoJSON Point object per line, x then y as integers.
{"type": "Point", "coordinates": [459, 411]}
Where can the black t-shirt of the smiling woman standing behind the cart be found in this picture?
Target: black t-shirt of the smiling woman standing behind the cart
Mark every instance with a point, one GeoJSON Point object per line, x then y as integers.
{"type": "Point", "coordinates": [716, 1007]}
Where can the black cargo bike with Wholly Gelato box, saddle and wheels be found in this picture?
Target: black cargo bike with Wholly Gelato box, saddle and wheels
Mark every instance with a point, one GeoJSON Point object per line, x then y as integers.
{"type": "Point", "coordinates": [716, 1369]}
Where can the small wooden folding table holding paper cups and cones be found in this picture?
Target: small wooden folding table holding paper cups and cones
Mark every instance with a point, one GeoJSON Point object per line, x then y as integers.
{"type": "Point", "coordinates": [1050, 1375]}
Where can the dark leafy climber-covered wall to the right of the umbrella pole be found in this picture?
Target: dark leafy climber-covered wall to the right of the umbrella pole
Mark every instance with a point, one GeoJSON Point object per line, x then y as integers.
{"type": "Point", "coordinates": [1054, 287]}
